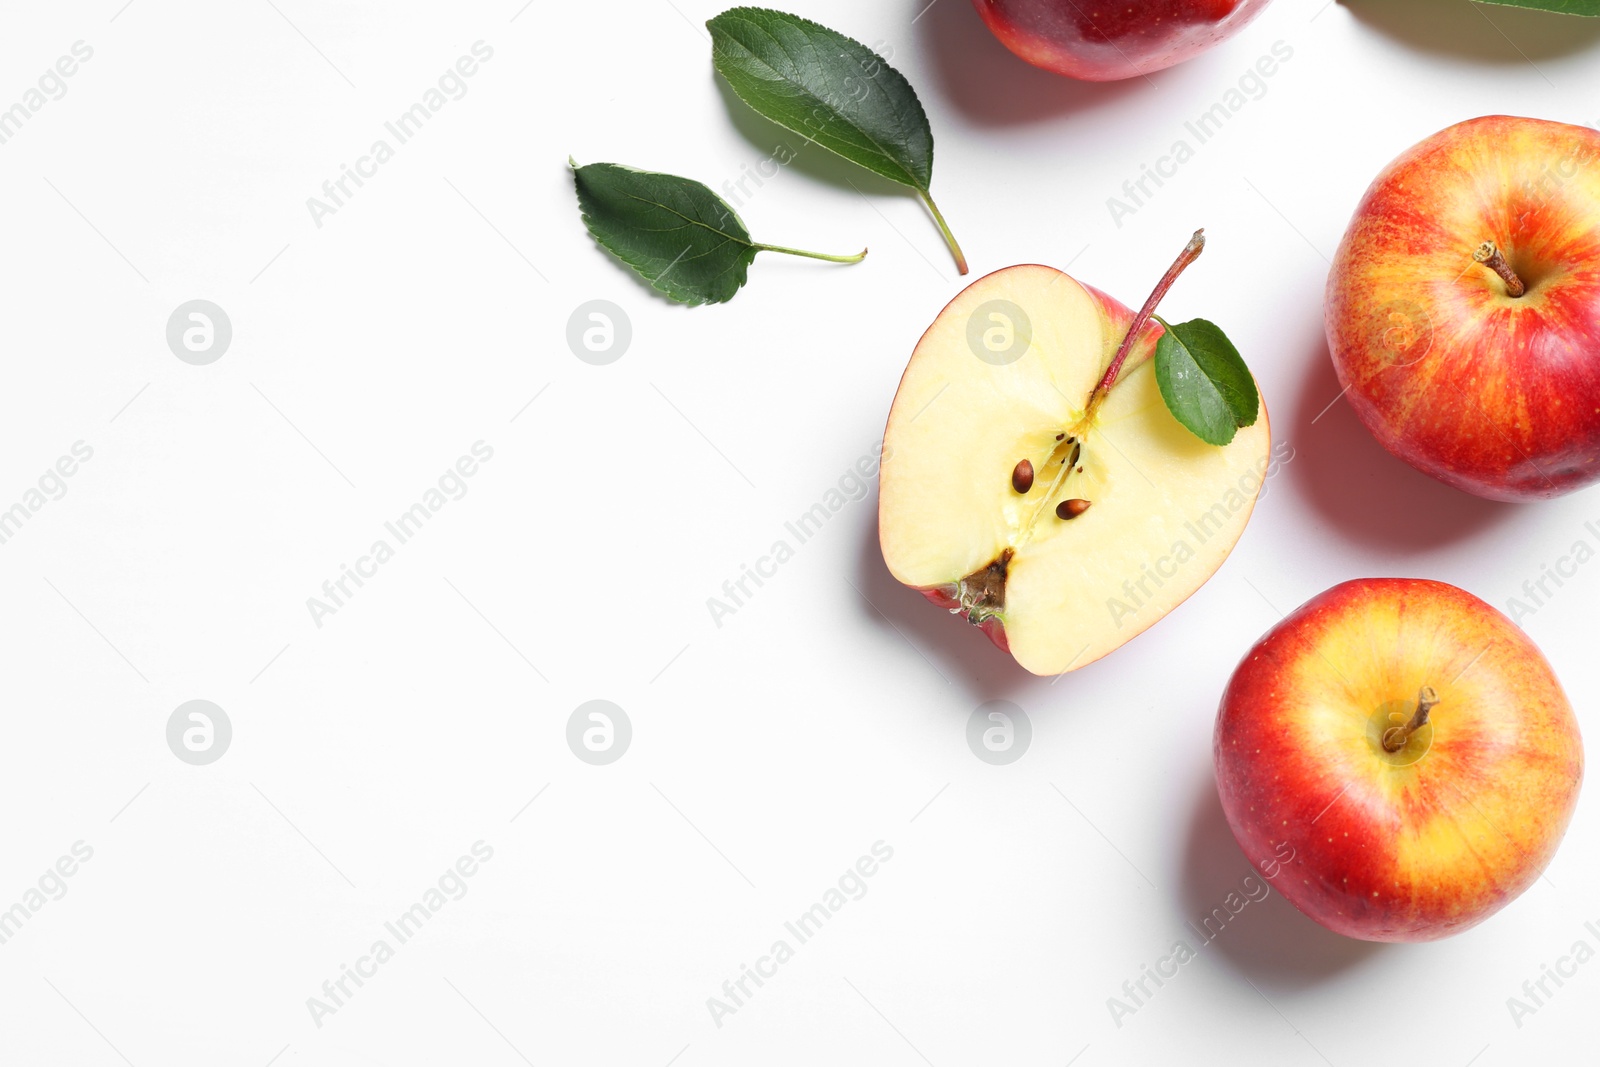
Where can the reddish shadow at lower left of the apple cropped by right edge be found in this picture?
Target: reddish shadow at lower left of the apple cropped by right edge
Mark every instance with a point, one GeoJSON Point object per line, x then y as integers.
{"type": "Point", "coordinates": [1354, 482]}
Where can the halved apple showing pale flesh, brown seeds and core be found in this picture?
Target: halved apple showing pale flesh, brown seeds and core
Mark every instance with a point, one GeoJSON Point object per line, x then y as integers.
{"type": "Point", "coordinates": [1119, 513]}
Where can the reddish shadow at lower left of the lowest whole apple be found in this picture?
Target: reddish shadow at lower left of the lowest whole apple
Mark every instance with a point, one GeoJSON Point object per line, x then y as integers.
{"type": "Point", "coordinates": [1270, 941]}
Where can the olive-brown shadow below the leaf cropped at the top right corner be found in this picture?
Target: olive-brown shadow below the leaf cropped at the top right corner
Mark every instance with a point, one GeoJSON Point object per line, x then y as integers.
{"type": "Point", "coordinates": [1495, 34]}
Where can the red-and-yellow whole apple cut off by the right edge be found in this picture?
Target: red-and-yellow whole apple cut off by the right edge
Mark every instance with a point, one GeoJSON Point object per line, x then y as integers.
{"type": "Point", "coordinates": [1487, 393]}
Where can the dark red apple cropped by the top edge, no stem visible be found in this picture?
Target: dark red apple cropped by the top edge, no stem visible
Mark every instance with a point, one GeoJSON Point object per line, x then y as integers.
{"type": "Point", "coordinates": [1098, 41]}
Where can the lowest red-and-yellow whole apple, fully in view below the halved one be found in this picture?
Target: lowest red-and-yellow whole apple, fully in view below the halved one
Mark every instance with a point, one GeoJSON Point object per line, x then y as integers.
{"type": "Point", "coordinates": [1398, 853]}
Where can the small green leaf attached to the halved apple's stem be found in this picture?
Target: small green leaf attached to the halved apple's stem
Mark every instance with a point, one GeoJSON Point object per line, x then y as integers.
{"type": "Point", "coordinates": [1206, 382]}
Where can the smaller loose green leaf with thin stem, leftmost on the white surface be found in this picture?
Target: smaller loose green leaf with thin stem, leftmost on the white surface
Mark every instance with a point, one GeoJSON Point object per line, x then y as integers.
{"type": "Point", "coordinates": [681, 238]}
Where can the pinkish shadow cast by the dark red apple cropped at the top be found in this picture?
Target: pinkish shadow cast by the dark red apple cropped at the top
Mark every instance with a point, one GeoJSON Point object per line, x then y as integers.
{"type": "Point", "coordinates": [991, 86]}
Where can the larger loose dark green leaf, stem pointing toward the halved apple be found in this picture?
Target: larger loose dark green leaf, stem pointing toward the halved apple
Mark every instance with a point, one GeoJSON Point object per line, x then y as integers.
{"type": "Point", "coordinates": [834, 92]}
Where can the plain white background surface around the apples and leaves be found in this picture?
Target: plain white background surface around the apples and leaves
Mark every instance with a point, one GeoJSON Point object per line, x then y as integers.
{"type": "Point", "coordinates": [769, 754]}
